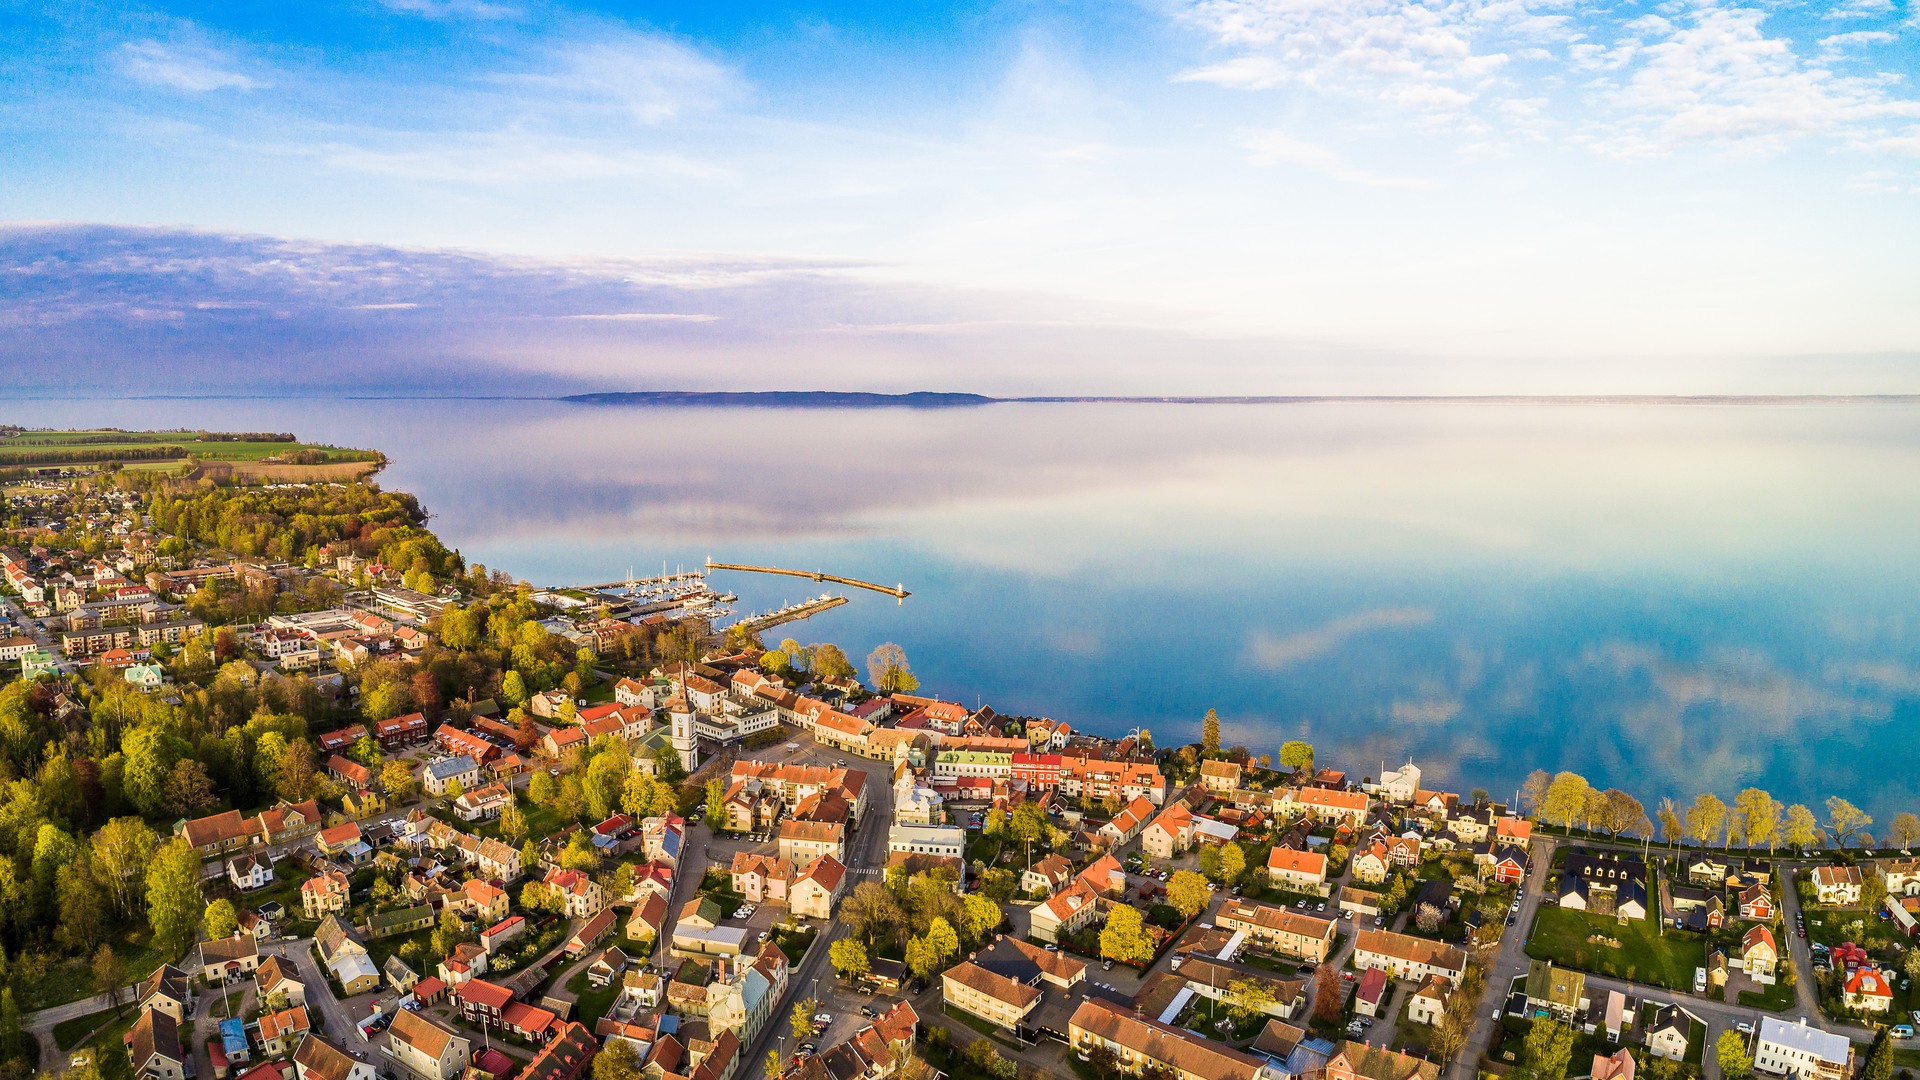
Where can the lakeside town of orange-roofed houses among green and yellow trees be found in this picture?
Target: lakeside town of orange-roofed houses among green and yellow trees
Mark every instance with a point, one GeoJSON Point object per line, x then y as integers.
{"type": "Point", "coordinates": [299, 795]}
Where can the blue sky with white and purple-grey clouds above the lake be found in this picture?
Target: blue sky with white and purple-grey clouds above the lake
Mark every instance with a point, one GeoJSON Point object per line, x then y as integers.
{"type": "Point", "coordinates": [1161, 197]}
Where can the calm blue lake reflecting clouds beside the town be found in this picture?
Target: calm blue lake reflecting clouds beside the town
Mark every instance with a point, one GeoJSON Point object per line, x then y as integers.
{"type": "Point", "coordinates": [1666, 599]}
